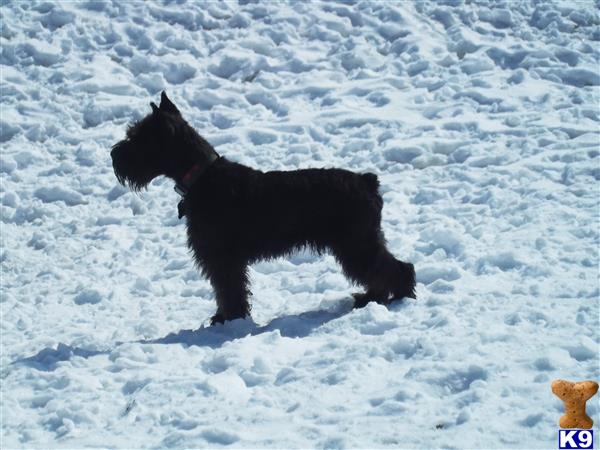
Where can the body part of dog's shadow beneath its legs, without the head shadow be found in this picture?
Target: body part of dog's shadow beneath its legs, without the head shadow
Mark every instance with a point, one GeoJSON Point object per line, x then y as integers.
{"type": "Point", "coordinates": [293, 326]}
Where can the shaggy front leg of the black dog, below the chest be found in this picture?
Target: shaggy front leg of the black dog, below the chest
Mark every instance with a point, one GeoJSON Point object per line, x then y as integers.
{"type": "Point", "coordinates": [230, 282]}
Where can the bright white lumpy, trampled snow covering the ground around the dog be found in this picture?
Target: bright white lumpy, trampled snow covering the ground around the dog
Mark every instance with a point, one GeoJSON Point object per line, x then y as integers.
{"type": "Point", "coordinates": [482, 122]}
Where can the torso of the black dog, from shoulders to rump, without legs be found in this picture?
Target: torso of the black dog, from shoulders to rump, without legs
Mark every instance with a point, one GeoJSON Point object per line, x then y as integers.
{"type": "Point", "coordinates": [293, 208]}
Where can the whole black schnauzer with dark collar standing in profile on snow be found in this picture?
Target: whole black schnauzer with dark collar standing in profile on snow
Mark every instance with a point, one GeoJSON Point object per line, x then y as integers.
{"type": "Point", "coordinates": [237, 215]}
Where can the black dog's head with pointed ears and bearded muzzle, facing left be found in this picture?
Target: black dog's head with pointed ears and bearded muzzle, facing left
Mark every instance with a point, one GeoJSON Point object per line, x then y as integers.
{"type": "Point", "coordinates": [150, 147]}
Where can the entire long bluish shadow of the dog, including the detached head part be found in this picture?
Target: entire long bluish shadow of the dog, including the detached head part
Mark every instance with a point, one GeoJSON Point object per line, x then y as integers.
{"type": "Point", "coordinates": [294, 325]}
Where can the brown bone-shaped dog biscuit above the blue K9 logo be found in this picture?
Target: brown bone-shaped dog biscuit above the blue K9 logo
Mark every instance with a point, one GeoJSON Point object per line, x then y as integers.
{"type": "Point", "coordinates": [574, 395]}
